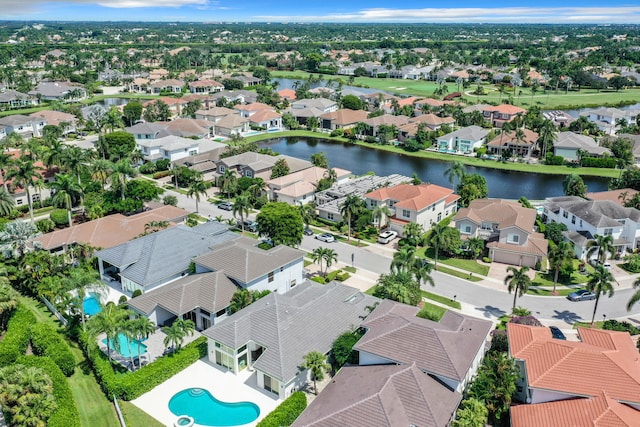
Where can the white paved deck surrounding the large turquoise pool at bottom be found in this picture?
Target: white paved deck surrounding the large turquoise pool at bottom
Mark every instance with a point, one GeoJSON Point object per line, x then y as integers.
{"type": "Point", "coordinates": [223, 385]}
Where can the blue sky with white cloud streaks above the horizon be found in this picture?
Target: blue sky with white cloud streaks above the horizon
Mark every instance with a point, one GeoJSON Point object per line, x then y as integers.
{"type": "Point", "coordinates": [347, 11]}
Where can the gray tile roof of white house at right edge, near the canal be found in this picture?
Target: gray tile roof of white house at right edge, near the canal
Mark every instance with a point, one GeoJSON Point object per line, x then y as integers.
{"type": "Point", "coordinates": [599, 213]}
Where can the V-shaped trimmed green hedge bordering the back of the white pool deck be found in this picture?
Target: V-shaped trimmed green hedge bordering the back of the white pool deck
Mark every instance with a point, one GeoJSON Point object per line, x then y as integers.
{"type": "Point", "coordinates": [131, 385]}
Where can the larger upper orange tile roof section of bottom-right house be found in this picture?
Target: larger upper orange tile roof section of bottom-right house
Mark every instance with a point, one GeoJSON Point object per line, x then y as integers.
{"type": "Point", "coordinates": [607, 361]}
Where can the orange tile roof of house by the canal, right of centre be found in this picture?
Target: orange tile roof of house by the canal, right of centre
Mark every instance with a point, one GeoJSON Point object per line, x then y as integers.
{"type": "Point", "coordinates": [413, 197]}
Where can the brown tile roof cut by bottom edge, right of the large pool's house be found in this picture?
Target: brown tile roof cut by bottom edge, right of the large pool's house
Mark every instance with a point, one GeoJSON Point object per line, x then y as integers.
{"type": "Point", "coordinates": [381, 396]}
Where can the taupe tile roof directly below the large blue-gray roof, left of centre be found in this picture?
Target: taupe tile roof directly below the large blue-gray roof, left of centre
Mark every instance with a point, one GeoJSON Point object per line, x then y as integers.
{"type": "Point", "coordinates": [209, 291]}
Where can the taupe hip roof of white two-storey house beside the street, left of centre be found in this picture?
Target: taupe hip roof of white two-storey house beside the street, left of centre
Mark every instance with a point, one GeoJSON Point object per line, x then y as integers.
{"type": "Point", "coordinates": [244, 262]}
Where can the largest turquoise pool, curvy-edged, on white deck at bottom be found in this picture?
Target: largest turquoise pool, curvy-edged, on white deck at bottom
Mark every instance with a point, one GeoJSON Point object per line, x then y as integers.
{"type": "Point", "coordinates": [206, 410]}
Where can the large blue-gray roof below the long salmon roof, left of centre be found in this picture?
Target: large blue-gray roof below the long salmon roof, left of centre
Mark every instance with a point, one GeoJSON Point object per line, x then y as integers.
{"type": "Point", "coordinates": [152, 258]}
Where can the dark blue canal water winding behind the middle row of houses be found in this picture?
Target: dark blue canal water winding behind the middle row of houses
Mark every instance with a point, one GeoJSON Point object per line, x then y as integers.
{"type": "Point", "coordinates": [360, 160]}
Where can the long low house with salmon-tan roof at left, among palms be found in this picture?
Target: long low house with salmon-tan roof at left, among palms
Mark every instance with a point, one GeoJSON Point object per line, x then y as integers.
{"type": "Point", "coordinates": [111, 230]}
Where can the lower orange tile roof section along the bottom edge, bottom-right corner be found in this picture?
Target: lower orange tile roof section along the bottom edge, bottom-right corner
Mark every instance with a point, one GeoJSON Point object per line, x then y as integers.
{"type": "Point", "coordinates": [597, 411]}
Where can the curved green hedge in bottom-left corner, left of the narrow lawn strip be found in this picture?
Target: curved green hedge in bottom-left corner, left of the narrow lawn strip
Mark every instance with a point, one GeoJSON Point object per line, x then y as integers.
{"type": "Point", "coordinates": [66, 415]}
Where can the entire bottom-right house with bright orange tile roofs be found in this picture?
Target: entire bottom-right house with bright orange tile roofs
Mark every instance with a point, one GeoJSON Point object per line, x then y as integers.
{"type": "Point", "coordinates": [549, 381]}
